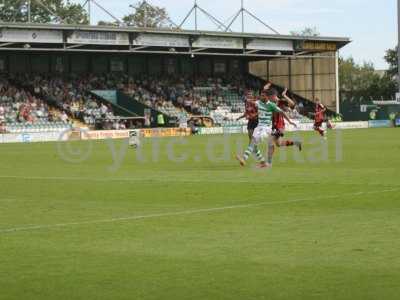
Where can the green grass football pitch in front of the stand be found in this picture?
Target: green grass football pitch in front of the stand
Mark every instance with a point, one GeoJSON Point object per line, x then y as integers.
{"type": "Point", "coordinates": [303, 230]}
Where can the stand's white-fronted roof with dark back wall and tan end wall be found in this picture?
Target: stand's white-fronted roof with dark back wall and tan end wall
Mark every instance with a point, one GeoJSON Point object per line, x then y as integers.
{"type": "Point", "coordinates": [306, 65]}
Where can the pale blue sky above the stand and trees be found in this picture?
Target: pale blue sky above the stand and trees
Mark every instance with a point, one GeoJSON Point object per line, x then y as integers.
{"type": "Point", "coordinates": [371, 25]}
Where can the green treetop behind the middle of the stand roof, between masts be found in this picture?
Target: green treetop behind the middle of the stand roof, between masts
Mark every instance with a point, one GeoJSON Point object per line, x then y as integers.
{"type": "Point", "coordinates": [146, 15]}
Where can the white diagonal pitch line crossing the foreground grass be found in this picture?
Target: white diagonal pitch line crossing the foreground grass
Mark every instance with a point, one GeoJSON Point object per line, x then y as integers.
{"type": "Point", "coordinates": [186, 212]}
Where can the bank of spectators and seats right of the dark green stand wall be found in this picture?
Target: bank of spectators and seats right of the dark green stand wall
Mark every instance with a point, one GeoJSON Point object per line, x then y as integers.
{"type": "Point", "coordinates": [218, 97]}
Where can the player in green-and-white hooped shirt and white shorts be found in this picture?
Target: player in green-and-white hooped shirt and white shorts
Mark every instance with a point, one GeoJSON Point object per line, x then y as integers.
{"type": "Point", "coordinates": [266, 109]}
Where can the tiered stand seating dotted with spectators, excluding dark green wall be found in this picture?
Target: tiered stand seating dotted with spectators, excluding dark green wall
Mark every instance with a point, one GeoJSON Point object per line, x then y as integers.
{"type": "Point", "coordinates": [219, 98]}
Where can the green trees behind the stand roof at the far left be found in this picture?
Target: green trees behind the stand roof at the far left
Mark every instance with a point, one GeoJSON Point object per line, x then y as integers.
{"type": "Point", "coordinates": [43, 11]}
